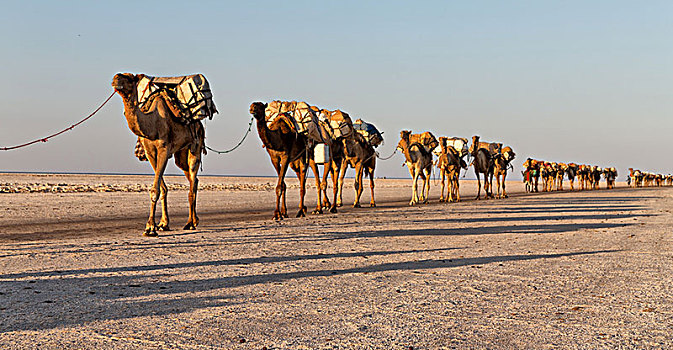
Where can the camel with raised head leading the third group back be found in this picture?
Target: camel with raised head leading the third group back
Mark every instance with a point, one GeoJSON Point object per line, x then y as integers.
{"type": "Point", "coordinates": [418, 160]}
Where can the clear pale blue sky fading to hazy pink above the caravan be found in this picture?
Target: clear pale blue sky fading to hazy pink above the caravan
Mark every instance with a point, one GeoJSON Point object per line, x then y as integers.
{"type": "Point", "coordinates": [567, 81]}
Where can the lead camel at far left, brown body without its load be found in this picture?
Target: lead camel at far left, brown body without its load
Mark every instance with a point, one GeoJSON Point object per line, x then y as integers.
{"type": "Point", "coordinates": [162, 136]}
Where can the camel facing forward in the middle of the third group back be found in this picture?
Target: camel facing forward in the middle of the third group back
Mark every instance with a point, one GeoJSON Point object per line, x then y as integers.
{"type": "Point", "coordinates": [449, 164]}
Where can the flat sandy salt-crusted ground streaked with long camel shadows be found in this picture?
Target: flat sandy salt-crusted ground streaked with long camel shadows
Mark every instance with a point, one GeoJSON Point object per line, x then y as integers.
{"type": "Point", "coordinates": [559, 270]}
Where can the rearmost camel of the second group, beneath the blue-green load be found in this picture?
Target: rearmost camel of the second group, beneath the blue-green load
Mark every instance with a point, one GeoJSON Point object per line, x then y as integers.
{"type": "Point", "coordinates": [361, 156]}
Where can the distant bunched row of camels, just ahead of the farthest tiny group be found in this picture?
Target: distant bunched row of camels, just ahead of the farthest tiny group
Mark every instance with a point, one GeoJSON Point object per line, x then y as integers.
{"type": "Point", "coordinates": [553, 175]}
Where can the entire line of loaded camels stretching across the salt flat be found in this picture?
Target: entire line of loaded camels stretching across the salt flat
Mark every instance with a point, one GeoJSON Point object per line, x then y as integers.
{"type": "Point", "coordinates": [165, 114]}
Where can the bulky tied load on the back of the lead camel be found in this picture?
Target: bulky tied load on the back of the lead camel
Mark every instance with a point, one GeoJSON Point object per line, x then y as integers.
{"type": "Point", "coordinates": [190, 95]}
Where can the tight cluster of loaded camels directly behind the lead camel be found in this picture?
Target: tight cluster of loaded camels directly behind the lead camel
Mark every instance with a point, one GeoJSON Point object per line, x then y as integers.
{"type": "Point", "coordinates": [299, 136]}
